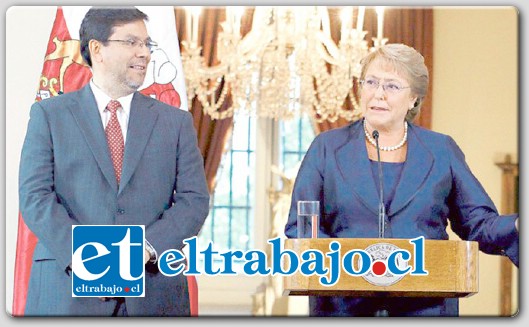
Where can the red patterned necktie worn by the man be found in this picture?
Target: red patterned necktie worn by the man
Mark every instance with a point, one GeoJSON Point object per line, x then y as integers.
{"type": "Point", "coordinates": [116, 145]}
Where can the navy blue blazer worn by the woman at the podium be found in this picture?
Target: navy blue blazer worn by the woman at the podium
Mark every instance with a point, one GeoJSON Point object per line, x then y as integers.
{"type": "Point", "coordinates": [436, 186]}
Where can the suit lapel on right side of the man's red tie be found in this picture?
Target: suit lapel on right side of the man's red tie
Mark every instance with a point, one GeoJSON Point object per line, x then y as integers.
{"type": "Point", "coordinates": [141, 123]}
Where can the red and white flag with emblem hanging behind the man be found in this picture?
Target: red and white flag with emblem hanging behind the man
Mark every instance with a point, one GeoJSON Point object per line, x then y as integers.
{"type": "Point", "coordinates": [65, 71]}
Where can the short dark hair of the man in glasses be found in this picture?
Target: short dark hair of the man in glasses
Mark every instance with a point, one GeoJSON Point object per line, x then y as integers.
{"type": "Point", "coordinates": [98, 24]}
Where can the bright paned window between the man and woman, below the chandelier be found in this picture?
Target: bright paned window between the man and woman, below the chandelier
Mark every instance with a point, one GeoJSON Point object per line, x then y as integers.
{"type": "Point", "coordinates": [231, 222]}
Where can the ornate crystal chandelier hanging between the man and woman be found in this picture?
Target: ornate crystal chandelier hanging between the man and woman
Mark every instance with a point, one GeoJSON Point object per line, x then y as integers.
{"type": "Point", "coordinates": [287, 64]}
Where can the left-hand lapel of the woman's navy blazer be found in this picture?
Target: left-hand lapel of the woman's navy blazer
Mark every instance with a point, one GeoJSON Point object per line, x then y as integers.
{"type": "Point", "coordinates": [354, 166]}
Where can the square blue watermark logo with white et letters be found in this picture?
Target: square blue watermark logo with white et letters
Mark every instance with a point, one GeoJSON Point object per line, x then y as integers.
{"type": "Point", "coordinates": [107, 261]}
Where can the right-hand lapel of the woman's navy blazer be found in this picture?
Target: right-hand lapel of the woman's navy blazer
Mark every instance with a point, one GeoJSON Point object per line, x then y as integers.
{"type": "Point", "coordinates": [419, 163]}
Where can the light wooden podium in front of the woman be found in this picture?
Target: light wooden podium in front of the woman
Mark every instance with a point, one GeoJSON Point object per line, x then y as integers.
{"type": "Point", "coordinates": [452, 270]}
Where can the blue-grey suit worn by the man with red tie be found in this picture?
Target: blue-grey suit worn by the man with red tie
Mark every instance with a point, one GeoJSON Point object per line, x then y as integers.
{"type": "Point", "coordinates": [66, 178]}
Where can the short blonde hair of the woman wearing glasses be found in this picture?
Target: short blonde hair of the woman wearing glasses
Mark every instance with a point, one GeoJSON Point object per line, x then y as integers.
{"type": "Point", "coordinates": [405, 60]}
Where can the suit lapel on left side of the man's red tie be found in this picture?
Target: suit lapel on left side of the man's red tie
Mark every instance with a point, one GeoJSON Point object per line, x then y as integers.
{"type": "Point", "coordinates": [89, 121]}
